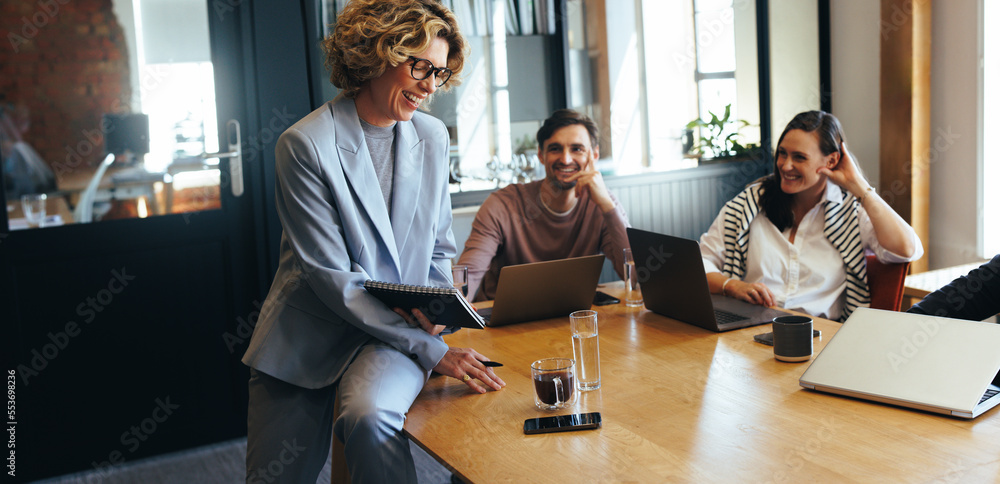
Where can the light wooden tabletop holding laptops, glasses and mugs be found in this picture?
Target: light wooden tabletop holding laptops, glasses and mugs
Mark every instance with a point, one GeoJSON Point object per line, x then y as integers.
{"type": "Point", "coordinates": [682, 404]}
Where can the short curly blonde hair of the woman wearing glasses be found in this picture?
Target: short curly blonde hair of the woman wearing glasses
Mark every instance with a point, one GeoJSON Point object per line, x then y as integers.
{"type": "Point", "coordinates": [372, 35]}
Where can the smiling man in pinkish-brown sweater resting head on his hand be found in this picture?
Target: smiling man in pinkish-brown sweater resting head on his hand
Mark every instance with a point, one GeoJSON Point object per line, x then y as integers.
{"type": "Point", "coordinates": [568, 214]}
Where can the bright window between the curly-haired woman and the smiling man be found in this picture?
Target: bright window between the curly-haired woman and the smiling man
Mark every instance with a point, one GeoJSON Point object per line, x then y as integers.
{"type": "Point", "coordinates": [507, 91]}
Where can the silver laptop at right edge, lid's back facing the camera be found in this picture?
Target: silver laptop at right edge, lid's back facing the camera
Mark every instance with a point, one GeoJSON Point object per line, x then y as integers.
{"type": "Point", "coordinates": [930, 363]}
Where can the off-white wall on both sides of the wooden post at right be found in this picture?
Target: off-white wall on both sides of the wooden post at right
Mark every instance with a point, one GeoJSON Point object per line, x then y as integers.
{"type": "Point", "coordinates": [856, 29]}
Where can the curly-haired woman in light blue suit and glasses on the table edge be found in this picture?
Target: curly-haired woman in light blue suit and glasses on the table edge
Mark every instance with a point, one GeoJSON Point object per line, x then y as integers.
{"type": "Point", "coordinates": [362, 193]}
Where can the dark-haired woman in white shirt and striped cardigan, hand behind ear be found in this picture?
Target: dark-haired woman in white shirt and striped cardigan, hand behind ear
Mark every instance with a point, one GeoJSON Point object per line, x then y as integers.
{"type": "Point", "coordinates": [820, 215]}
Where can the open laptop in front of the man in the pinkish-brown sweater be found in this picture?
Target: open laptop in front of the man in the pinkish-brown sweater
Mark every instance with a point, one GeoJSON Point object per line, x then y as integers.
{"type": "Point", "coordinates": [543, 290]}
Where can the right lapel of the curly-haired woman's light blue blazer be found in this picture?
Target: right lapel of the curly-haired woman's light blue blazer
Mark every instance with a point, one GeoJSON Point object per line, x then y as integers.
{"type": "Point", "coordinates": [406, 181]}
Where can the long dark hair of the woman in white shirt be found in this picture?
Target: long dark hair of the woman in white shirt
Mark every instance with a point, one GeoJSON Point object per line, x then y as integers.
{"type": "Point", "coordinates": [776, 203]}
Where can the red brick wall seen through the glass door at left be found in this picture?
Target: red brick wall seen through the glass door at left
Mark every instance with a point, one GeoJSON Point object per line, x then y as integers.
{"type": "Point", "coordinates": [67, 62]}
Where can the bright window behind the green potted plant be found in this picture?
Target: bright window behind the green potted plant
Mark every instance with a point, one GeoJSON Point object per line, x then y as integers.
{"type": "Point", "coordinates": [694, 65]}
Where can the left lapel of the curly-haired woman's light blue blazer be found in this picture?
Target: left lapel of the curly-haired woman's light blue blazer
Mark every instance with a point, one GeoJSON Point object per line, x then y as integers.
{"type": "Point", "coordinates": [360, 174]}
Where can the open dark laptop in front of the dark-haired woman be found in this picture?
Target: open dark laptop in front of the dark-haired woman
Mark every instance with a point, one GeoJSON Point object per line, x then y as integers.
{"type": "Point", "coordinates": [673, 283]}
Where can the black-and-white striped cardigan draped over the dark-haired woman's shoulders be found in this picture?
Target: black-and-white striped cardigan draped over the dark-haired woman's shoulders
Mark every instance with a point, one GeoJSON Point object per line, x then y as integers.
{"type": "Point", "coordinates": [841, 229]}
